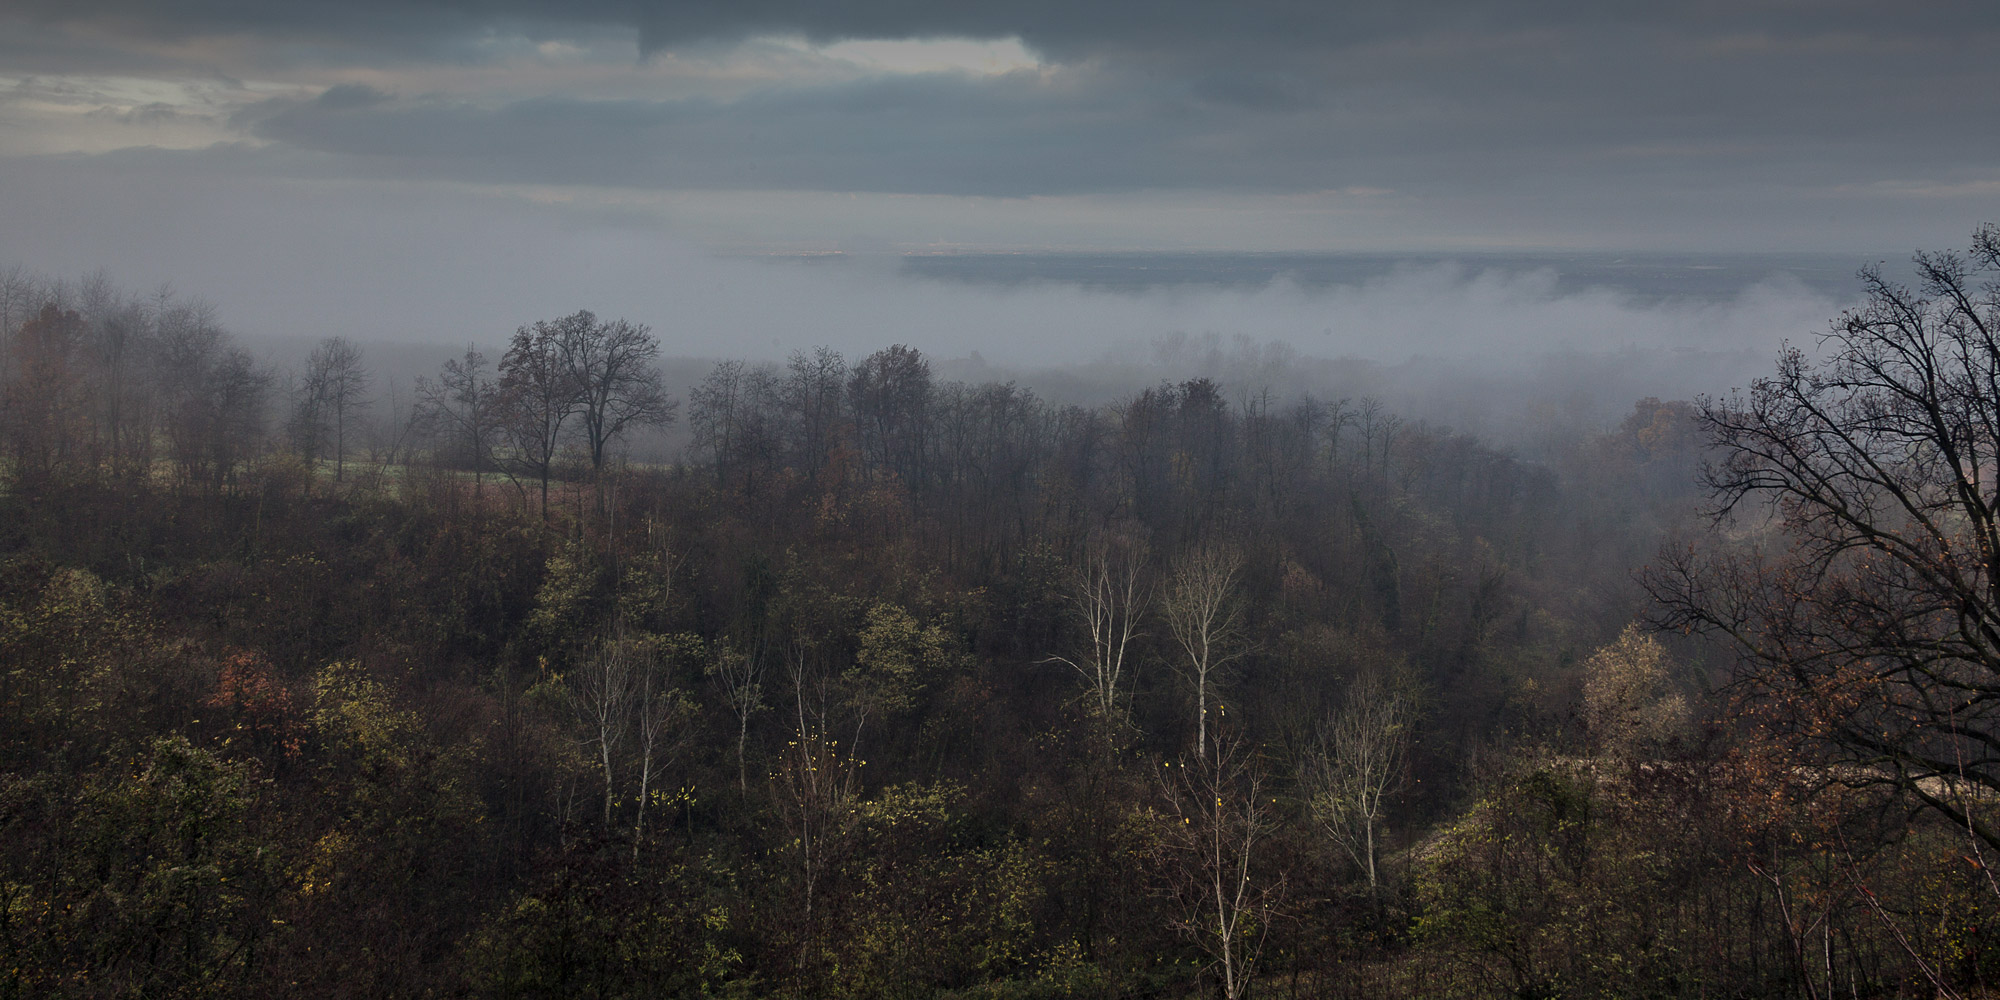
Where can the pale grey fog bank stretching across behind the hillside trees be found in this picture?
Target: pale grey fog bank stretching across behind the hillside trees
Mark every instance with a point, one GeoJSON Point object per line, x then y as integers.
{"type": "Point", "coordinates": [1511, 351]}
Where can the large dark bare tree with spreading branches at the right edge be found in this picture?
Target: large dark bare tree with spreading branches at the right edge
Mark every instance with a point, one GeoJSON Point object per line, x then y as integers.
{"type": "Point", "coordinates": [1875, 629]}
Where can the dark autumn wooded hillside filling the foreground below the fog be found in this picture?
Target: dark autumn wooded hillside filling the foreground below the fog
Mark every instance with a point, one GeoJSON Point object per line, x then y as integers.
{"type": "Point", "coordinates": [905, 687]}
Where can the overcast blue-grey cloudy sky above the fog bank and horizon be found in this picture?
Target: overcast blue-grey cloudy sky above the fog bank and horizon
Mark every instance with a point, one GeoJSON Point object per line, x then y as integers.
{"type": "Point", "coordinates": [1247, 125]}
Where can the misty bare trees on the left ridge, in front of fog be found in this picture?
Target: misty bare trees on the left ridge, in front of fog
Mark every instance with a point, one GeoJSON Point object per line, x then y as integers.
{"type": "Point", "coordinates": [101, 383]}
